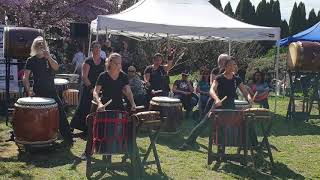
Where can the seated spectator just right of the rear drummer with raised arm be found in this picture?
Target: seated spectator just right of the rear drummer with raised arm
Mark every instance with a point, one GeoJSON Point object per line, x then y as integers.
{"type": "Point", "coordinates": [182, 90]}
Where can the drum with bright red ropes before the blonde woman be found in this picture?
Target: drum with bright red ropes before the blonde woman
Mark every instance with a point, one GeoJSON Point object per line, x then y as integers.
{"type": "Point", "coordinates": [111, 132]}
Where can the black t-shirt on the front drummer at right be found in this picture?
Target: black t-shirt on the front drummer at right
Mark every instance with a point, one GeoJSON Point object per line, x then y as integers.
{"type": "Point", "coordinates": [228, 87]}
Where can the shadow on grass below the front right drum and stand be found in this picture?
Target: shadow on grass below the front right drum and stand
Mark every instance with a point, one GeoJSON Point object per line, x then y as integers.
{"type": "Point", "coordinates": [279, 171]}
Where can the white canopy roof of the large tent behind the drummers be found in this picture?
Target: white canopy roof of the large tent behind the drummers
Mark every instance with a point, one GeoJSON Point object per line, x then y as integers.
{"type": "Point", "coordinates": [187, 19]}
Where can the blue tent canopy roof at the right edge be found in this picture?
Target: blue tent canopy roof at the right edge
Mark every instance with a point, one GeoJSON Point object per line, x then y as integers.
{"type": "Point", "coordinates": [311, 34]}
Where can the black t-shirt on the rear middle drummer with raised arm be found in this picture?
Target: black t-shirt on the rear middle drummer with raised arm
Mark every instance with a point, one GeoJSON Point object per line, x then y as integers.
{"type": "Point", "coordinates": [158, 78]}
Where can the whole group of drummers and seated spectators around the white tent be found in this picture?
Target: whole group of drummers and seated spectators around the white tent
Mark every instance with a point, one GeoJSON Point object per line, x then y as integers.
{"type": "Point", "coordinates": [115, 80]}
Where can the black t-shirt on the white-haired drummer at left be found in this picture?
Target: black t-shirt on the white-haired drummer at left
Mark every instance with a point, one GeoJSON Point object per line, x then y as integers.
{"type": "Point", "coordinates": [43, 75]}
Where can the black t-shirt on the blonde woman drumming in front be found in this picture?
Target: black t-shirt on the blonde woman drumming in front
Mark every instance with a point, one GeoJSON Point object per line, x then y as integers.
{"type": "Point", "coordinates": [112, 89]}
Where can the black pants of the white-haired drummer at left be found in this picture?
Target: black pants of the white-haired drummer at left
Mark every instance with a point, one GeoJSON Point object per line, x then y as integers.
{"type": "Point", "coordinates": [64, 127]}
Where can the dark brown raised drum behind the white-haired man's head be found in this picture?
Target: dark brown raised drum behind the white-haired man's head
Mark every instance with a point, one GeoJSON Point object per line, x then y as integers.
{"type": "Point", "coordinates": [18, 41]}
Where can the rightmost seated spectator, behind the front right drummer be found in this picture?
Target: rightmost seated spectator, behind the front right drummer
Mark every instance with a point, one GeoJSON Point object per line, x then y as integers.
{"type": "Point", "coordinates": [259, 89]}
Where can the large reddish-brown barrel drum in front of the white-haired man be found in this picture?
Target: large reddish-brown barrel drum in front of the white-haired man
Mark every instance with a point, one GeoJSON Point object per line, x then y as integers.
{"type": "Point", "coordinates": [35, 121]}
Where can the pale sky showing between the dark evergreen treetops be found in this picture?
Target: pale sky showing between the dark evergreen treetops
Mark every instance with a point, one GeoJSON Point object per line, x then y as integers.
{"type": "Point", "coordinates": [285, 6]}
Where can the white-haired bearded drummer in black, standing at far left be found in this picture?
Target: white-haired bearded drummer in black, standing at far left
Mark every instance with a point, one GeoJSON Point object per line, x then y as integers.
{"type": "Point", "coordinates": [42, 66]}
